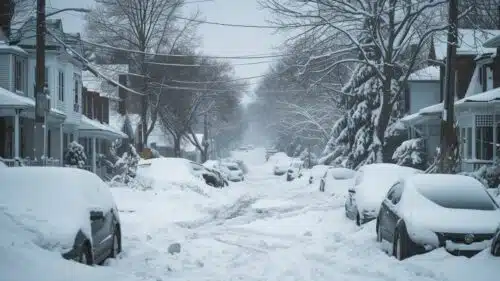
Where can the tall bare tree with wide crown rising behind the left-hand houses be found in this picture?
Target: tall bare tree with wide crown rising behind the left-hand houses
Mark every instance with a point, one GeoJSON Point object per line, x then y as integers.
{"type": "Point", "coordinates": [145, 26]}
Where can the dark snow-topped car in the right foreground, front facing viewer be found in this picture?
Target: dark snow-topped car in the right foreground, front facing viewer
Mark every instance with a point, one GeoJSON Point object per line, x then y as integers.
{"type": "Point", "coordinates": [427, 211]}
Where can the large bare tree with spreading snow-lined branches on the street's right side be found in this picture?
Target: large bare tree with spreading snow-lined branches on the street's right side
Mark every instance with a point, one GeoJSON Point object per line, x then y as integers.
{"type": "Point", "coordinates": [388, 38]}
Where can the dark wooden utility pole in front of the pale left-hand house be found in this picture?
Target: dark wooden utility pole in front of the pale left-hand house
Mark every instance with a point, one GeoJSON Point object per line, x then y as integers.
{"type": "Point", "coordinates": [42, 105]}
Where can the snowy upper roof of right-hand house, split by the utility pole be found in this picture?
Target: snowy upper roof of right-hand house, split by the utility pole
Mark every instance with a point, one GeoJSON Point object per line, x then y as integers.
{"type": "Point", "coordinates": [470, 42]}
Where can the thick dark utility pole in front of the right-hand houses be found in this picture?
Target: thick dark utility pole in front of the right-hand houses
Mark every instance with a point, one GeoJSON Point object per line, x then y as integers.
{"type": "Point", "coordinates": [448, 134]}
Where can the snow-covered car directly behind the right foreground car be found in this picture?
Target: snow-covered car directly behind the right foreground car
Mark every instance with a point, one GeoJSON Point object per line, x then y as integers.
{"type": "Point", "coordinates": [371, 183]}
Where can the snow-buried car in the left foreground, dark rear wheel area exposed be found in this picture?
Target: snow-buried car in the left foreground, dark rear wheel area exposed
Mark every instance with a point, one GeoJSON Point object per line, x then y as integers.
{"type": "Point", "coordinates": [69, 211]}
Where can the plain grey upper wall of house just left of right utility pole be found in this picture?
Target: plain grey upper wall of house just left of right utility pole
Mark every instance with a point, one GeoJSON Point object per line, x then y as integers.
{"type": "Point", "coordinates": [423, 94]}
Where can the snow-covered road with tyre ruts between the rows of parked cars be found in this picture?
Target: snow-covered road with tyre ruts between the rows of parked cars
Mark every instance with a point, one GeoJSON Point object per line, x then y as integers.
{"type": "Point", "coordinates": [266, 229]}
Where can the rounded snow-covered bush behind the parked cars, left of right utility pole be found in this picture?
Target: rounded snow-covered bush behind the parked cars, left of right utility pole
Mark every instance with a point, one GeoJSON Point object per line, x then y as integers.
{"type": "Point", "coordinates": [411, 153]}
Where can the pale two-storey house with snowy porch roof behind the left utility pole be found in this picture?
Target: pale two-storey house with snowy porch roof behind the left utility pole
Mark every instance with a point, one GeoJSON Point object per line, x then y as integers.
{"type": "Point", "coordinates": [63, 77]}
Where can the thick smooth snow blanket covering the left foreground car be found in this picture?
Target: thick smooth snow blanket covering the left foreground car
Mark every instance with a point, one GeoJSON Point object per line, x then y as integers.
{"type": "Point", "coordinates": [54, 202]}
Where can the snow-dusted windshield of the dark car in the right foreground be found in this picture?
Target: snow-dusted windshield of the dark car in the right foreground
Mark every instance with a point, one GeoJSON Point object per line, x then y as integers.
{"type": "Point", "coordinates": [458, 197]}
